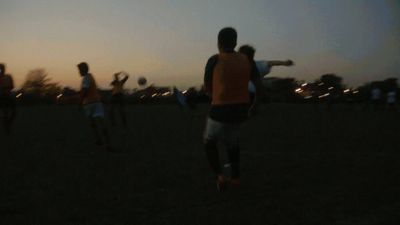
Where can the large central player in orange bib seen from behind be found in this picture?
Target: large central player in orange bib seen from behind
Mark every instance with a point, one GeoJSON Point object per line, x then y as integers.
{"type": "Point", "coordinates": [226, 79]}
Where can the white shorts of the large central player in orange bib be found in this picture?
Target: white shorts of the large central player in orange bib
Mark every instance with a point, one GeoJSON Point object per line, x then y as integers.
{"type": "Point", "coordinates": [225, 132]}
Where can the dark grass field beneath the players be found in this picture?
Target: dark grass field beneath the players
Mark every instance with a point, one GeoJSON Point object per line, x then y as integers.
{"type": "Point", "coordinates": [300, 165]}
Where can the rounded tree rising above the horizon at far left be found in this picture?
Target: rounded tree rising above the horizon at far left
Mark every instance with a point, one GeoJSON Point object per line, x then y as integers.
{"type": "Point", "coordinates": [37, 83]}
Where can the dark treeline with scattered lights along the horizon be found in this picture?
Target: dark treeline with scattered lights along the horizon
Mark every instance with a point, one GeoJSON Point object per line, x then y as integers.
{"type": "Point", "coordinates": [329, 88]}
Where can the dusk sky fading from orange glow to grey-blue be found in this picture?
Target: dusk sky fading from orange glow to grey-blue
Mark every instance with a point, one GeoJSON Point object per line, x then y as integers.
{"type": "Point", "coordinates": [169, 41]}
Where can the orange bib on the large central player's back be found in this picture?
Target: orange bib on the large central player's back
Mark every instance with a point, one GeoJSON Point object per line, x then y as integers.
{"type": "Point", "coordinates": [230, 78]}
